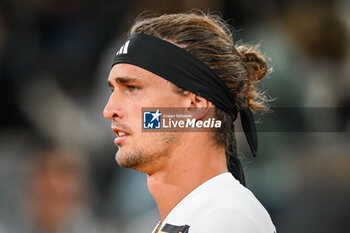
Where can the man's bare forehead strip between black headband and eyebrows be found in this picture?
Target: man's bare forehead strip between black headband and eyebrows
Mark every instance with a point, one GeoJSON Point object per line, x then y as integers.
{"type": "Point", "coordinates": [123, 70]}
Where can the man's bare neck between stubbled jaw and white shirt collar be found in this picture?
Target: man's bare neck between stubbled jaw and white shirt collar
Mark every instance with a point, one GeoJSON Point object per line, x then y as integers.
{"type": "Point", "coordinates": [188, 167]}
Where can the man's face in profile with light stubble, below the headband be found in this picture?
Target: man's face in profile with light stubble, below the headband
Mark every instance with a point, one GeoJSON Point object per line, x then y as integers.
{"type": "Point", "coordinates": [132, 89]}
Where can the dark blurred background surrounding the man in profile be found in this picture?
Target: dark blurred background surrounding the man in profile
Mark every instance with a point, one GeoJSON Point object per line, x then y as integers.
{"type": "Point", "coordinates": [57, 168]}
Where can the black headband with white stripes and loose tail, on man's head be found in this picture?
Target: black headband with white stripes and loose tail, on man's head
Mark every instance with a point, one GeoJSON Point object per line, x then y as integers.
{"type": "Point", "coordinates": [178, 66]}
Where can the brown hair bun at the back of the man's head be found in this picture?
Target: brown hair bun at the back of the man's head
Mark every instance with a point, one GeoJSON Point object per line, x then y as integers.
{"type": "Point", "coordinates": [255, 61]}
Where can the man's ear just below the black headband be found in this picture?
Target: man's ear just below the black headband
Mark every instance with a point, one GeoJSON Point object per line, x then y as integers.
{"type": "Point", "coordinates": [199, 107]}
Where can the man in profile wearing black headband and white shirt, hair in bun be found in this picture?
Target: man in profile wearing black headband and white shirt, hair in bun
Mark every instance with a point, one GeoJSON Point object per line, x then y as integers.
{"type": "Point", "coordinates": [188, 61]}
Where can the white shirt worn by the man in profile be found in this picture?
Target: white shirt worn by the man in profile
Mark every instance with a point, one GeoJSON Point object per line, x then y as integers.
{"type": "Point", "coordinates": [219, 205]}
